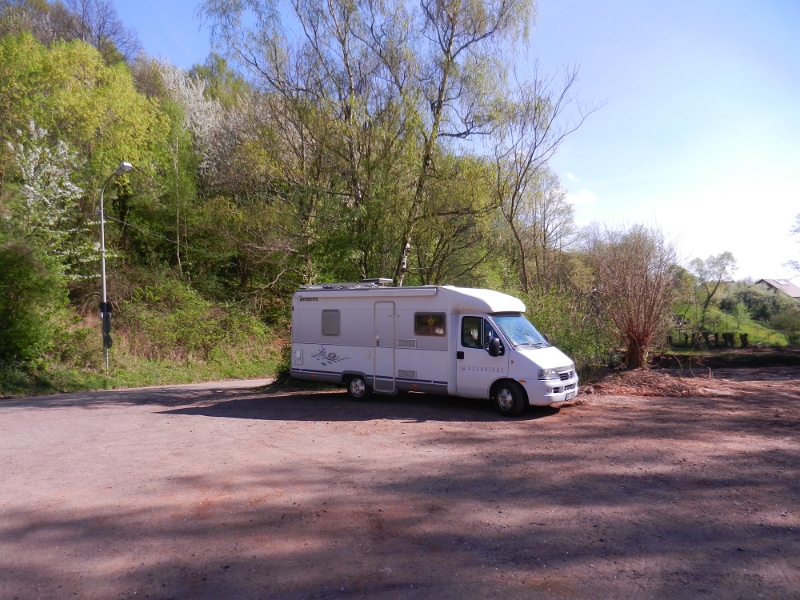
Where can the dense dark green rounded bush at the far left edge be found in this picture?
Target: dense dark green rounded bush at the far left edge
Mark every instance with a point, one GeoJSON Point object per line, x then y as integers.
{"type": "Point", "coordinates": [30, 295]}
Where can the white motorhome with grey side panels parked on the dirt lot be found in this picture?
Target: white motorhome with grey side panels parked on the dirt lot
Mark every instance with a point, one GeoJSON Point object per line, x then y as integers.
{"type": "Point", "coordinates": [439, 339]}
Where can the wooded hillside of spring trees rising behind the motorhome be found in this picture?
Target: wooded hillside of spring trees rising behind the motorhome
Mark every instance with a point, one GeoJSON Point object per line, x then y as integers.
{"type": "Point", "coordinates": [338, 142]}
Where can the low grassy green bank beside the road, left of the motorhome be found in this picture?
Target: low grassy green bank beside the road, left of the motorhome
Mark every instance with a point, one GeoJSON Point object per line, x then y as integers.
{"type": "Point", "coordinates": [163, 334]}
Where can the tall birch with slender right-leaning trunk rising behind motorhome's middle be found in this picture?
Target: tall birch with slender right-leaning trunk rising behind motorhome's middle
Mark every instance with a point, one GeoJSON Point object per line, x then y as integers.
{"type": "Point", "coordinates": [453, 64]}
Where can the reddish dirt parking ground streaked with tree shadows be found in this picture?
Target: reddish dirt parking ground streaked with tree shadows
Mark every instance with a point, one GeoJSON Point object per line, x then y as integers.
{"type": "Point", "coordinates": [234, 491]}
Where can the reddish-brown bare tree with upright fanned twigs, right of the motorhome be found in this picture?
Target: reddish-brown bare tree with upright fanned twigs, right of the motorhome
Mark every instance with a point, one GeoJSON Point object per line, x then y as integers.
{"type": "Point", "coordinates": [635, 271]}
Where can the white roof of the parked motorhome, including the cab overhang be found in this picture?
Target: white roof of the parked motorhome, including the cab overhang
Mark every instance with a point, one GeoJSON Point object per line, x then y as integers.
{"type": "Point", "coordinates": [460, 299]}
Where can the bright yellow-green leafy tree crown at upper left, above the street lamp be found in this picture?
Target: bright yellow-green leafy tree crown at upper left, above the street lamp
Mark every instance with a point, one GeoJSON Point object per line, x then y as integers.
{"type": "Point", "coordinates": [70, 92]}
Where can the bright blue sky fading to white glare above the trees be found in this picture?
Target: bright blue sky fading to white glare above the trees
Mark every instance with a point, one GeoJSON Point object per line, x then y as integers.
{"type": "Point", "coordinates": [697, 127]}
